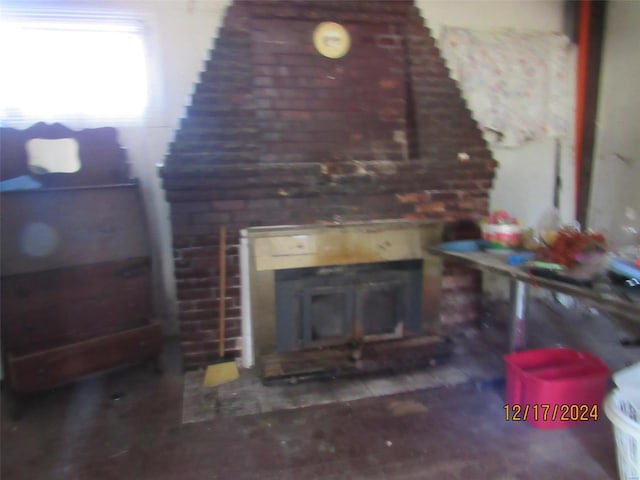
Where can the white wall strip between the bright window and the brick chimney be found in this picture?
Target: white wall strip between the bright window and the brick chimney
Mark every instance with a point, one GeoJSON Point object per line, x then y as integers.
{"type": "Point", "coordinates": [181, 32]}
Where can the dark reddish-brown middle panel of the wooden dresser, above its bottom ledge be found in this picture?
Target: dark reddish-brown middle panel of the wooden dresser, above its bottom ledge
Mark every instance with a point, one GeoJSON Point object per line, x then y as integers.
{"type": "Point", "coordinates": [49, 309]}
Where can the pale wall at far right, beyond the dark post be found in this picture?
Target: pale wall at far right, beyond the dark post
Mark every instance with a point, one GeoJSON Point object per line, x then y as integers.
{"type": "Point", "coordinates": [616, 178]}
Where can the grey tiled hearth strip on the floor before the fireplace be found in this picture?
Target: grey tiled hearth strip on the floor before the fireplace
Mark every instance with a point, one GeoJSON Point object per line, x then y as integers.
{"type": "Point", "coordinates": [248, 395]}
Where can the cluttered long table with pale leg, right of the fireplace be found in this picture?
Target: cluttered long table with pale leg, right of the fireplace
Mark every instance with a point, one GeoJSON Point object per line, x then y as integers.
{"type": "Point", "coordinates": [603, 294]}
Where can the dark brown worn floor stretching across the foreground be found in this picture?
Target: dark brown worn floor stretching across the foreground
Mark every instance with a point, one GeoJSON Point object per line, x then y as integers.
{"type": "Point", "coordinates": [129, 424]}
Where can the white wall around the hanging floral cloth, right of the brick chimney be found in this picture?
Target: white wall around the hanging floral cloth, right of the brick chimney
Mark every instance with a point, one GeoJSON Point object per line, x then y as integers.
{"type": "Point", "coordinates": [525, 177]}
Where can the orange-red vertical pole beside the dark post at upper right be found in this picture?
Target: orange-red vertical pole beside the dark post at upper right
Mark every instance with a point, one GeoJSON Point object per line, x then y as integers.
{"type": "Point", "coordinates": [581, 88]}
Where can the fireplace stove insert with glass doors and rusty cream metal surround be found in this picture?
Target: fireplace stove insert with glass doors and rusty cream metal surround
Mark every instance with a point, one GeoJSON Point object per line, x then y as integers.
{"type": "Point", "coordinates": [341, 298]}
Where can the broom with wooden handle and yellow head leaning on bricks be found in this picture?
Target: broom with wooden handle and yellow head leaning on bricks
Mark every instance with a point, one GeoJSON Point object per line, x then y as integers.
{"type": "Point", "coordinates": [224, 370]}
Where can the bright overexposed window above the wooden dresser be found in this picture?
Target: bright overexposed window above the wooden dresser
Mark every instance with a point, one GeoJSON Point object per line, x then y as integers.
{"type": "Point", "coordinates": [58, 67]}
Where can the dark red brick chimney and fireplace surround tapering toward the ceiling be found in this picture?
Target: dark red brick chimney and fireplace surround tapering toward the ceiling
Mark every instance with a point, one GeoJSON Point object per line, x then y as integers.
{"type": "Point", "coordinates": [277, 134]}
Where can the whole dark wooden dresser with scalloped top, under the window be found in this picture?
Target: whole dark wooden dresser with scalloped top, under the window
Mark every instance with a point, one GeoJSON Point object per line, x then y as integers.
{"type": "Point", "coordinates": [76, 273]}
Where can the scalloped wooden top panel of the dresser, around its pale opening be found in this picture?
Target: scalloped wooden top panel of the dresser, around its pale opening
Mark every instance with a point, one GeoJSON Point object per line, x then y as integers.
{"type": "Point", "coordinates": [103, 159]}
